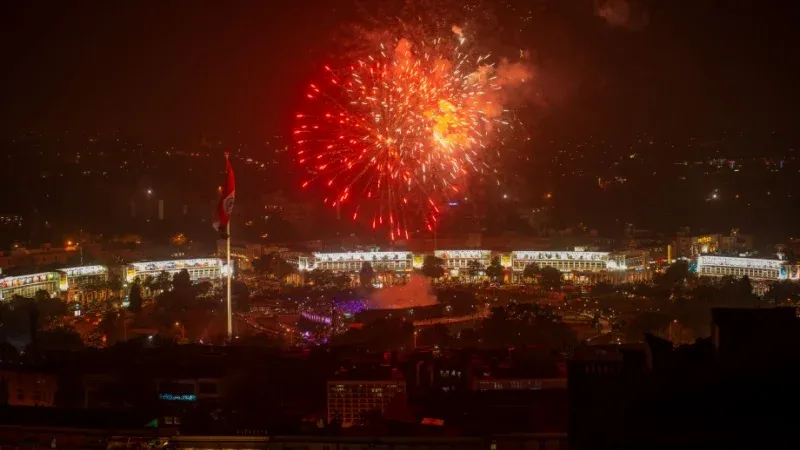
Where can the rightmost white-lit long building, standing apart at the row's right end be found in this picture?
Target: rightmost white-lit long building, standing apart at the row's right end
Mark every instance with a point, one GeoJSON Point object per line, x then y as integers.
{"type": "Point", "coordinates": [757, 269]}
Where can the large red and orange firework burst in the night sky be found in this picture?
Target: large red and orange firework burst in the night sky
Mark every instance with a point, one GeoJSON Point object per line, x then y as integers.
{"type": "Point", "coordinates": [397, 132]}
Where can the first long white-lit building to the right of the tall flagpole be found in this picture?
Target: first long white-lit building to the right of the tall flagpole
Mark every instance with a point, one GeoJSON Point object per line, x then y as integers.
{"type": "Point", "coordinates": [351, 262]}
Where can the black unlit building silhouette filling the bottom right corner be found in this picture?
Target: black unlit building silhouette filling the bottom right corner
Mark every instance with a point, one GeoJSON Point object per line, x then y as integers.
{"type": "Point", "coordinates": [736, 389]}
